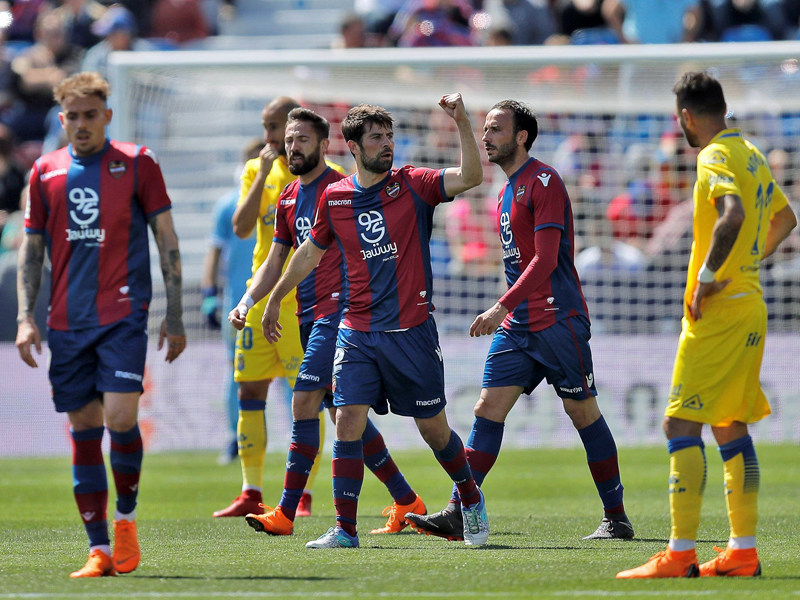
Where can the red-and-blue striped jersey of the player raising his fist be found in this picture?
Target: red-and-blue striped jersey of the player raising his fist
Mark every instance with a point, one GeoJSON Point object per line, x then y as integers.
{"type": "Point", "coordinates": [383, 232]}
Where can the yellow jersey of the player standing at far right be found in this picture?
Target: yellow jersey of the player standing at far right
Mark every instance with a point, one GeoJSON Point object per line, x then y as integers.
{"type": "Point", "coordinates": [730, 164]}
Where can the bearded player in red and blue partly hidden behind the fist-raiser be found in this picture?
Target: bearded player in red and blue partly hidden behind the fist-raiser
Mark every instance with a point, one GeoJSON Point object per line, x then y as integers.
{"type": "Point", "coordinates": [320, 301]}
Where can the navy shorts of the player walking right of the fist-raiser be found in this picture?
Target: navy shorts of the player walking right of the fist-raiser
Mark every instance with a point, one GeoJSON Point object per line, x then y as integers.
{"type": "Point", "coordinates": [559, 353]}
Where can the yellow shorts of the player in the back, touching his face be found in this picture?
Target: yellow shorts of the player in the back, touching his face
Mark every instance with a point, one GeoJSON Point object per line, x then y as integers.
{"type": "Point", "coordinates": [256, 359]}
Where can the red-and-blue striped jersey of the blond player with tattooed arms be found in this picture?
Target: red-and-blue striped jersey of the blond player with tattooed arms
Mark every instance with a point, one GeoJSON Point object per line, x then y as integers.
{"type": "Point", "coordinates": [93, 211]}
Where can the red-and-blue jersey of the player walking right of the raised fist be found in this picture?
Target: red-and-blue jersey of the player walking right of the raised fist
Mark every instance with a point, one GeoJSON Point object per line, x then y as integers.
{"type": "Point", "coordinates": [533, 198]}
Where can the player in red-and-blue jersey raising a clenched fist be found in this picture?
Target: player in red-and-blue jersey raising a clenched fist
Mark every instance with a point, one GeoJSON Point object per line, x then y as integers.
{"type": "Point", "coordinates": [387, 346]}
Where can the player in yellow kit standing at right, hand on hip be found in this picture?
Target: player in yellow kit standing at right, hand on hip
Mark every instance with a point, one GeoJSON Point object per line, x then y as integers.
{"type": "Point", "coordinates": [740, 217]}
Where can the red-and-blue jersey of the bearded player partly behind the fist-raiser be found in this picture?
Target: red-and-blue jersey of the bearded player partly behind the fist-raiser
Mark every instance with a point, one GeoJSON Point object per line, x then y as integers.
{"type": "Point", "coordinates": [320, 294]}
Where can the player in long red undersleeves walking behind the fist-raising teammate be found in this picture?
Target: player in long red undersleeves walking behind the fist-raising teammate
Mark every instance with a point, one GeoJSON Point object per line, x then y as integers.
{"type": "Point", "coordinates": [540, 325]}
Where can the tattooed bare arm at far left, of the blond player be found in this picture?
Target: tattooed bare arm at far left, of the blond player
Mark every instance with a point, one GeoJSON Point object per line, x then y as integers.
{"type": "Point", "coordinates": [29, 279]}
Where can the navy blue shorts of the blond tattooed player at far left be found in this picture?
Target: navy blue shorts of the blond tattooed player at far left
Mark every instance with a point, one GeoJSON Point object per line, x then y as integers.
{"type": "Point", "coordinates": [87, 362]}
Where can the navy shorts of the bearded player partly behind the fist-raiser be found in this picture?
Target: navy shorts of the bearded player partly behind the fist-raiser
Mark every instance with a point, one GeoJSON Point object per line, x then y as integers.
{"type": "Point", "coordinates": [319, 345]}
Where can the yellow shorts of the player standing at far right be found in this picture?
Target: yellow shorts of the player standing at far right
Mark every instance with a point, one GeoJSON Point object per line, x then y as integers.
{"type": "Point", "coordinates": [715, 379]}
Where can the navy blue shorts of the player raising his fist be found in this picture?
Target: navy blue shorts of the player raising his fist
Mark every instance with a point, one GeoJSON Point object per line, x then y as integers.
{"type": "Point", "coordinates": [398, 370]}
